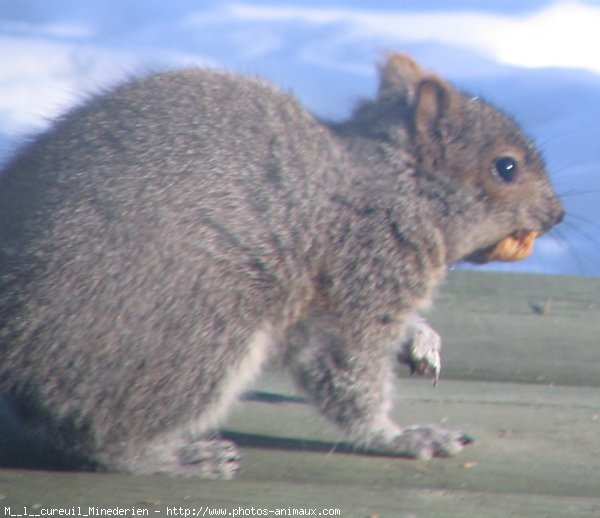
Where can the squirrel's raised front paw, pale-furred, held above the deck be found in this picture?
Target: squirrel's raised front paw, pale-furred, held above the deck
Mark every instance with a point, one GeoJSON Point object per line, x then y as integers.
{"type": "Point", "coordinates": [421, 350]}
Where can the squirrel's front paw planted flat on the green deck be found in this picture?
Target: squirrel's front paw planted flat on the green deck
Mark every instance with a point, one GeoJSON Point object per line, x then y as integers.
{"type": "Point", "coordinates": [425, 442]}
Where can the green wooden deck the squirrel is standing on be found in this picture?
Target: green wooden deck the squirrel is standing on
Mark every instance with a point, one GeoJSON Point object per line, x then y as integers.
{"type": "Point", "coordinates": [521, 374]}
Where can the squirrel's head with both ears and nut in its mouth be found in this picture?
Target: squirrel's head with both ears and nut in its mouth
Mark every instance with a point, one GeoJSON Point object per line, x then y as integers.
{"type": "Point", "coordinates": [483, 177]}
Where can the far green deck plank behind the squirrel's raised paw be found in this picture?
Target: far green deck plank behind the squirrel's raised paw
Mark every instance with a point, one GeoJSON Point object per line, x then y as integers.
{"type": "Point", "coordinates": [524, 328]}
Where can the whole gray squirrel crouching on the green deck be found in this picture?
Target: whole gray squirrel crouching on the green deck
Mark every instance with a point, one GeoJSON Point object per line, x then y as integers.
{"type": "Point", "coordinates": [164, 241]}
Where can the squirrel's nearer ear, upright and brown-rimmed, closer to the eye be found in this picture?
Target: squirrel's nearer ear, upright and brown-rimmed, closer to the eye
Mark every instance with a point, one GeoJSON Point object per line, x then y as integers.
{"type": "Point", "coordinates": [435, 107]}
